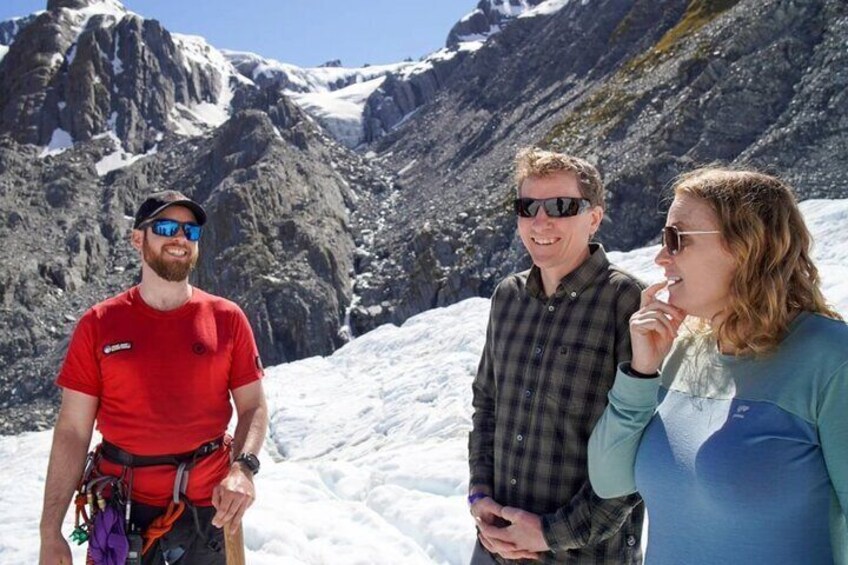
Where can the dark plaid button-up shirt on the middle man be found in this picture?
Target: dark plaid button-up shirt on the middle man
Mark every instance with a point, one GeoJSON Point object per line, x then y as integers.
{"type": "Point", "coordinates": [542, 383]}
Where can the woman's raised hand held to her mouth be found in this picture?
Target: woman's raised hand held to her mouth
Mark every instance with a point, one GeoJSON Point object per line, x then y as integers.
{"type": "Point", "coordinates": [652, 330]}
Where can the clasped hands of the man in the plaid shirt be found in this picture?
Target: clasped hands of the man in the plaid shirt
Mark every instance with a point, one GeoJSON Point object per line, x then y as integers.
{"type": "Point", "coordinates": [520, 538]}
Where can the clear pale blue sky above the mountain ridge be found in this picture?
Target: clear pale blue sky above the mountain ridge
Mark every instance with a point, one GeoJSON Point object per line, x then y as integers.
{"type": "Point", "coordinates": [302, 32]}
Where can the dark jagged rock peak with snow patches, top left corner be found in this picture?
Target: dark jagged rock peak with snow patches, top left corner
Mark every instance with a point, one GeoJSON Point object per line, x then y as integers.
{"type": "Point", "coordinates": [84, 74]}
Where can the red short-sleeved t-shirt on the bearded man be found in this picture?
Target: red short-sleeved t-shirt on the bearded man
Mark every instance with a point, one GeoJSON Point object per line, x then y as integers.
{"type": "Point", "coordinates": [163, 380]}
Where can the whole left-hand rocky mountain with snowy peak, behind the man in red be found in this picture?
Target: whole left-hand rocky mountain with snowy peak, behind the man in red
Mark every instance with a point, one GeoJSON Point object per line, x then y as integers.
{"type": "Point", "coordinates": [98, 107]}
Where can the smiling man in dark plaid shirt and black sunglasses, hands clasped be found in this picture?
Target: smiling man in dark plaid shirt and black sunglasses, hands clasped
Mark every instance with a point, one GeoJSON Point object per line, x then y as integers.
{"type": "Point", "coordinates": [556, 334]}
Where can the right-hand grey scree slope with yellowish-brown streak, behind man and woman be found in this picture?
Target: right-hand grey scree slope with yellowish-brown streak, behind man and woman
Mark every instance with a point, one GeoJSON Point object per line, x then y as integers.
{"type": "Point", "coordinates": [644, 89]}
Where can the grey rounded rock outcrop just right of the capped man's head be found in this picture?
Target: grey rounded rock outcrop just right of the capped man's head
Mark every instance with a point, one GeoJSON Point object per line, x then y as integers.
{"type": "Point", "coordinates": [280, 236]}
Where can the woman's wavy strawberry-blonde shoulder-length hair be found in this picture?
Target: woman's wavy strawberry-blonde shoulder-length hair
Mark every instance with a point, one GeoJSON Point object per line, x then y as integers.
{"type": "Point", "coordinates": [762, 228]}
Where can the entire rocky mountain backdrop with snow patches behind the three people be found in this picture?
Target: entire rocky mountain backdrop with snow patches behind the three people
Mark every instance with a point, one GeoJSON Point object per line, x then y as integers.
{"type": "Point", "coordinates": [99, 106]}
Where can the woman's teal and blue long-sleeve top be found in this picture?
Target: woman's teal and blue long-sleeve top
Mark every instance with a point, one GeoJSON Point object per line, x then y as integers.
{"type": "Point", "coordinates": [739, 459]}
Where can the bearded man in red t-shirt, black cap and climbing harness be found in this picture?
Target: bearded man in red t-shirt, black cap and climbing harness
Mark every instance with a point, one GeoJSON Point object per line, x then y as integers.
{"type": "Point", "coordinates": [155, 367]}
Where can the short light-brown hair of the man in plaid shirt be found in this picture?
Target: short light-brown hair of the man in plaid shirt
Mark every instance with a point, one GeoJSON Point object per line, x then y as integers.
{"type": "Point", "coordinates": [535, 162]}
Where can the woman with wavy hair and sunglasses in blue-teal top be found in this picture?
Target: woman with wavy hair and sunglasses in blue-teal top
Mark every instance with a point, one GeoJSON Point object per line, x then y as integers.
{"type": "Point", "coordinates": [731, 420]}
